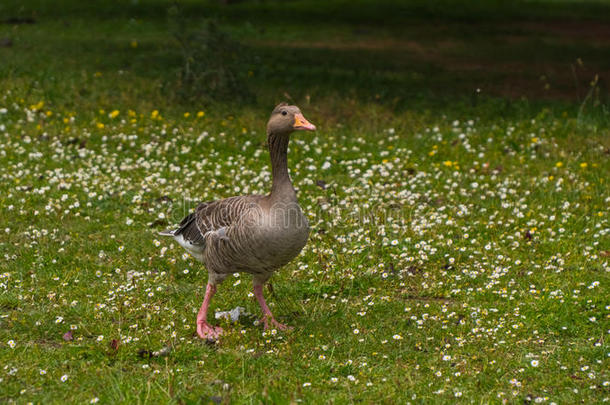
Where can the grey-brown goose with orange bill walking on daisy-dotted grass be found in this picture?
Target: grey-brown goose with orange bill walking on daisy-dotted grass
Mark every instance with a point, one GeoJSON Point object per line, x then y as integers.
{"type": "Point", "coordinates": [255, 234]}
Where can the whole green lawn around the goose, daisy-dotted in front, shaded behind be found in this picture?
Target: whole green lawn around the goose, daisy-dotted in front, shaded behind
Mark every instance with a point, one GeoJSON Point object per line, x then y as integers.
{"type": "Point", "coordinates": [459, 246]}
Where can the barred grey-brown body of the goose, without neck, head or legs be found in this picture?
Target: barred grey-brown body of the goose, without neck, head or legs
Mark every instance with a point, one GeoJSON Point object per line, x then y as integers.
{"type": "Point", "coordinates": [245, 234]}
